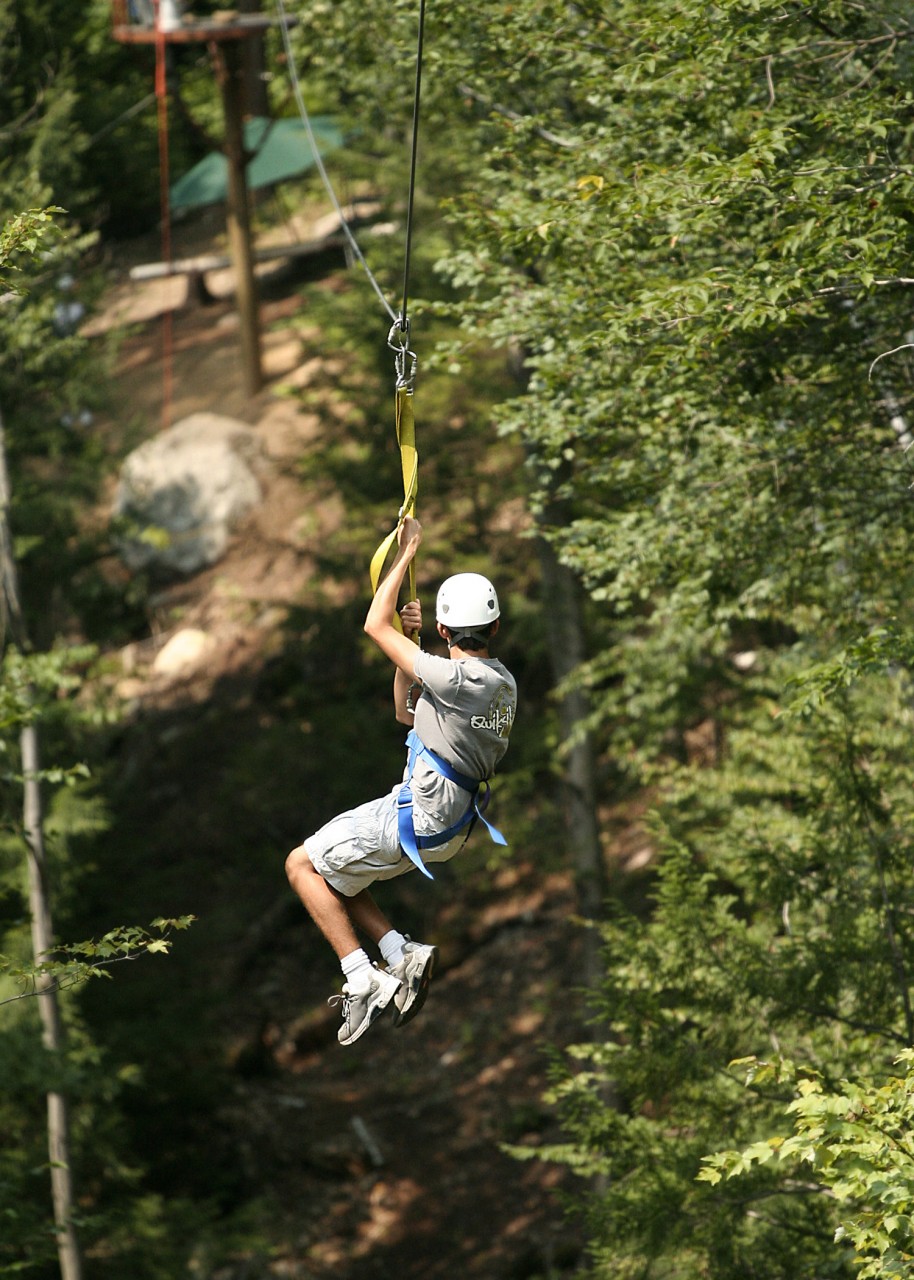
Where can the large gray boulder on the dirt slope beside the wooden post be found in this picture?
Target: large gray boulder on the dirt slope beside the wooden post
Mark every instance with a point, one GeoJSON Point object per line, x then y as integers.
{"type": "Point", "coordinates": [184, 492]}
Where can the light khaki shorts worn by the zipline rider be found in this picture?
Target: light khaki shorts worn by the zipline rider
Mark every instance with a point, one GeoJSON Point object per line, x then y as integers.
{"type": "Point", "coordinates": [362, 847]}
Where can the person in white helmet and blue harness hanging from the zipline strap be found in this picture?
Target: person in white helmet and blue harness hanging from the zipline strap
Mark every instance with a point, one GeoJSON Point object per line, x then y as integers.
{"type": "Point", "coordinates": [463, 716]}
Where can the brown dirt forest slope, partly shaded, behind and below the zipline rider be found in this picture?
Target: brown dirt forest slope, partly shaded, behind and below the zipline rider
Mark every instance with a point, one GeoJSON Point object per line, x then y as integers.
{"type": "Point", "coordinates": [378, 1162]}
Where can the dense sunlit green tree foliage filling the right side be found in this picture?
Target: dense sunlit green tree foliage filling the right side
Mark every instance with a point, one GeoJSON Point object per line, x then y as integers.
{"type": "Point", "coordinates": [707, 280]}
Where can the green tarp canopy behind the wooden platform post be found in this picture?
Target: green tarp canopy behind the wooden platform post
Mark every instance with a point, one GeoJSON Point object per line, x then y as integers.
{"type": "Point", "coordinates": [281, 149]}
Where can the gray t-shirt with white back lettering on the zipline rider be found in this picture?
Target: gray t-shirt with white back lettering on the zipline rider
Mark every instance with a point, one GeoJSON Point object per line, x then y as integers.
{"type": "Point", "coordinates": [464, 715]}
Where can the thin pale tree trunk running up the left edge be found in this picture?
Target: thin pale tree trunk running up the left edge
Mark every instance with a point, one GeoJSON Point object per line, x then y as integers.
{"type": "Point", "coordinates": [43, 934]}
